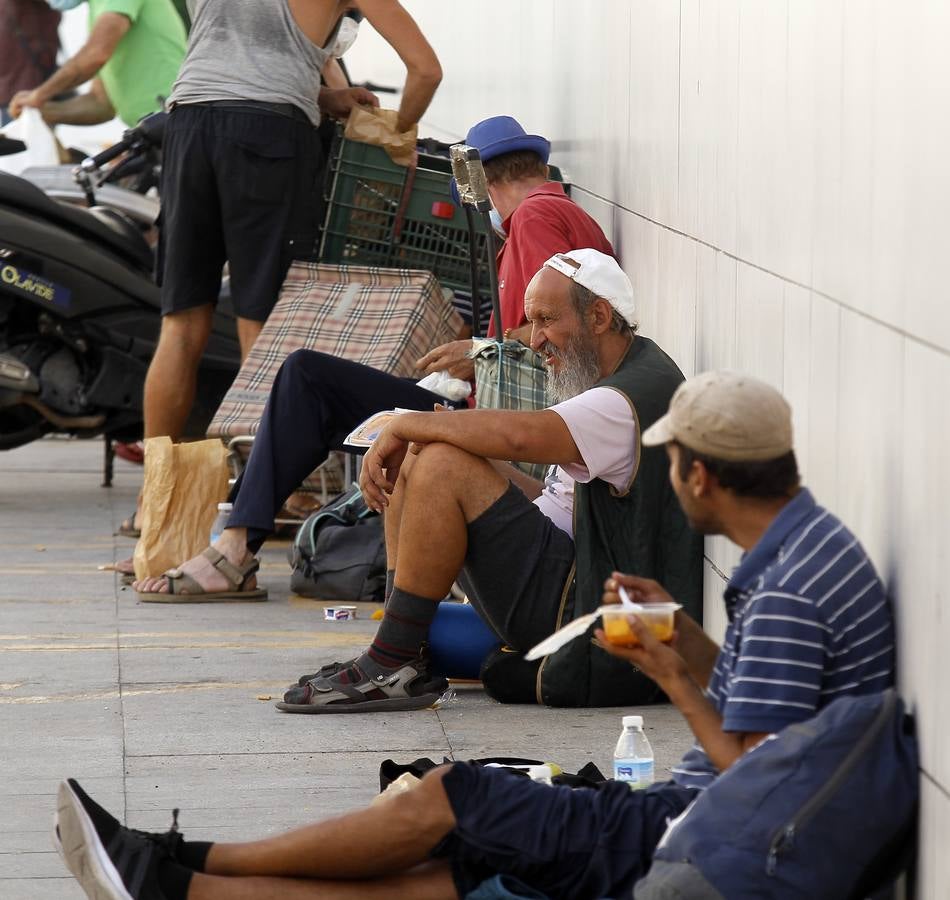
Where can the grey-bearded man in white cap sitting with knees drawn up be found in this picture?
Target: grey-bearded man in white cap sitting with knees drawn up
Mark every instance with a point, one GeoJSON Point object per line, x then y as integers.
{"type": "Point", "coordinates": [526, 566]}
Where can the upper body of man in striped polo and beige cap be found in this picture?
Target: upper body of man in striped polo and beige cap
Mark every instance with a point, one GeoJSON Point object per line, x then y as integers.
{"type": "Point", "coordinates": [808, 617]}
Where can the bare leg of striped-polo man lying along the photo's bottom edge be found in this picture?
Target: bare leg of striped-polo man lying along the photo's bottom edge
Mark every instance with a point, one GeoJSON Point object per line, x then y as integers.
{"type": "Point", "coordinates": [429, 882]}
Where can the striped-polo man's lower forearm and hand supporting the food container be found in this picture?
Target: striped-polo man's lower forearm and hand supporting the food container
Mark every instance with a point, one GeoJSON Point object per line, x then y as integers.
{"type": "Point", "coordinates": [669, 670]}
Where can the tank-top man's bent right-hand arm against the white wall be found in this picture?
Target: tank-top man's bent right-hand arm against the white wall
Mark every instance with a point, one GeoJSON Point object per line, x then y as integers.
{"type": "Point", "coordinates": [423, 72]}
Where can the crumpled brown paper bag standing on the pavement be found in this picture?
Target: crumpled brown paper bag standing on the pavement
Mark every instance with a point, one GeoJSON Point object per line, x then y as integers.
{"type": "Point", "coordinates": [183, 485]}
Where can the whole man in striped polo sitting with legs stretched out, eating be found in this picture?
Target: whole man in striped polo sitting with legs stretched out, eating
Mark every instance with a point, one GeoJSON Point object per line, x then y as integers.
{"type": "Point", "coordinates": [809, 622]}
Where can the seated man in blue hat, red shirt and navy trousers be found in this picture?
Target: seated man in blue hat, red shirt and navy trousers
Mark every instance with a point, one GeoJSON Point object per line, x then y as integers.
{"type": "Point", "coordinates": [317, 399]}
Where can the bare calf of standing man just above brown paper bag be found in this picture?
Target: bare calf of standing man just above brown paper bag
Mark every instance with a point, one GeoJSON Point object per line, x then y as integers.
{"type": "Point", "coordinates": [172, 377]}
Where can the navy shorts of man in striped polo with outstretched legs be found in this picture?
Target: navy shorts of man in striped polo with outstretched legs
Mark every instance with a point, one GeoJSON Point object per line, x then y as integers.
{"type": "Point", "coordinates": [563, 842]}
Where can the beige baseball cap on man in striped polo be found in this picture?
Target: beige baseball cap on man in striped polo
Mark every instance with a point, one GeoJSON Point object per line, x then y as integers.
{"type": "Point", "coordinates": [726, 415]}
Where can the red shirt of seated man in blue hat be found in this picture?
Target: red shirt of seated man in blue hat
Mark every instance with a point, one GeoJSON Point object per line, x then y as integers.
{"type": "Point", "coordinates": [546, 222]}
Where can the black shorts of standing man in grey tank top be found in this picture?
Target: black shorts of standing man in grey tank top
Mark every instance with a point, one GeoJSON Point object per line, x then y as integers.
{"type": "Point", "coordinates": [241, 184]}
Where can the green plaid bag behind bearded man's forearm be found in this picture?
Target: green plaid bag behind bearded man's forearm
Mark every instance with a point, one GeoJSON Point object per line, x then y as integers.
{"type": "Point", "coordinates": [515, 379]}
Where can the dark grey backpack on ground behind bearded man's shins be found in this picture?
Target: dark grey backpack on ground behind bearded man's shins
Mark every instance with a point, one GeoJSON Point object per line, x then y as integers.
{"type": "Point", "coordinates": [339, 552]}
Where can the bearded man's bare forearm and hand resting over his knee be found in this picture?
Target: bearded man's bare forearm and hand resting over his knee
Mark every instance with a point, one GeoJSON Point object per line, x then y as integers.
{"type": "Point", "coordinates": [535, 436]}
